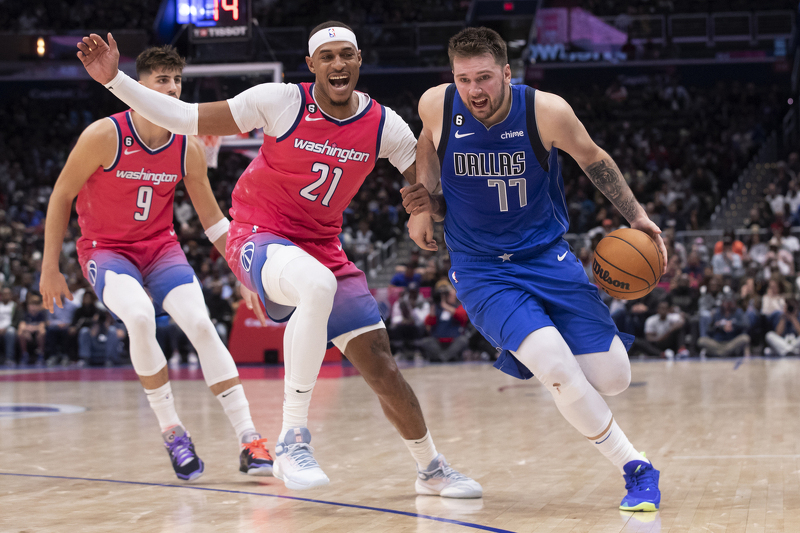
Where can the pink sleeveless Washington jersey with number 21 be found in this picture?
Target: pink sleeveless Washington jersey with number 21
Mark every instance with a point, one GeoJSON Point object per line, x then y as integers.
{"type": "Point", "coordinates": [300, 183]}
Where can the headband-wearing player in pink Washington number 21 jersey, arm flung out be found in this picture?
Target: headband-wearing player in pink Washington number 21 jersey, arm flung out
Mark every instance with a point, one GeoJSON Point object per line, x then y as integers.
{"type": "Point", "coordinates": [321, 141]}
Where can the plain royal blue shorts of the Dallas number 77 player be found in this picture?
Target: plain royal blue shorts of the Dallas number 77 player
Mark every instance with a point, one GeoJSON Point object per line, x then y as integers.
{"type": "Point", "coordinates": [507, 300]}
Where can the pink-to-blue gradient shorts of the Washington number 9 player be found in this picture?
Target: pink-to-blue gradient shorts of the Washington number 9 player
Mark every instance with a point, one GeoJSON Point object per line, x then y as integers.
{"type": "Point", "coordinates": [167, 270]}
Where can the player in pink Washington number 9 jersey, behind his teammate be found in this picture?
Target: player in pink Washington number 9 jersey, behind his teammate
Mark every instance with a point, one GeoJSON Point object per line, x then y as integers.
{"type": "Point", "coordinates": [124, 170]}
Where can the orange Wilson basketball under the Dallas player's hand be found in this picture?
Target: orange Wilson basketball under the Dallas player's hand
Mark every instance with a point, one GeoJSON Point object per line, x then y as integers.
{"type": "Point", "coordinates": [627, 264]}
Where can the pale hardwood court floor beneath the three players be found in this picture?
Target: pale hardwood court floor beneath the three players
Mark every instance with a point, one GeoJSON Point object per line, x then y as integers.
{"type": "Point", "coordinates": [723, 433]}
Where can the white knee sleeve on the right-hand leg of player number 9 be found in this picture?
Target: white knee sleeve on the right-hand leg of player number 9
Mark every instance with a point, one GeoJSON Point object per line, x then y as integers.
{"type": "Point", "coordinates": [187, 307]}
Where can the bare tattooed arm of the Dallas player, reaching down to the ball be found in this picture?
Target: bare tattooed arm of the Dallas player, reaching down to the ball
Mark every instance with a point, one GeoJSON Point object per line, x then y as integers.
{"type": "Point", "coordinates": [560, 128]}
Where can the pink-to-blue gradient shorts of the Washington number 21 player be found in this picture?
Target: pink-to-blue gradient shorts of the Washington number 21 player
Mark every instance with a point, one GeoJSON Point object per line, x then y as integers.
{"type": "Point", "coordinates": [353, 305]}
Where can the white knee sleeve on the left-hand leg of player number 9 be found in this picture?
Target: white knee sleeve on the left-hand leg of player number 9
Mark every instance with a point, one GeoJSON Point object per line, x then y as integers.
{"type": "Point", "coordinates": [125, 297]}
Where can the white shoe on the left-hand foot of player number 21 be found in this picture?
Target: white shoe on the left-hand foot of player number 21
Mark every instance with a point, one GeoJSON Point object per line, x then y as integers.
{"type": "Point", "coordinates": [295, 464]}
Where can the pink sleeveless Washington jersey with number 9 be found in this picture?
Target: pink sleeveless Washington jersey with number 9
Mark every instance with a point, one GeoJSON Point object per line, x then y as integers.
{"type": "Point", "coordinates": [132, 200]}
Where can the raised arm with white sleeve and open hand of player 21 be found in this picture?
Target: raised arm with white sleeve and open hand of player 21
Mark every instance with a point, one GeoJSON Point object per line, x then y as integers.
{"type": "Point", "coordinates": [101, 61]}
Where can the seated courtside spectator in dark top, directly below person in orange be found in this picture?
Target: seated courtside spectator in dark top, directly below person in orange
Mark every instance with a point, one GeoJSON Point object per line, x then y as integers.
{"type": "Point", "coordinates": [727, 334]}
